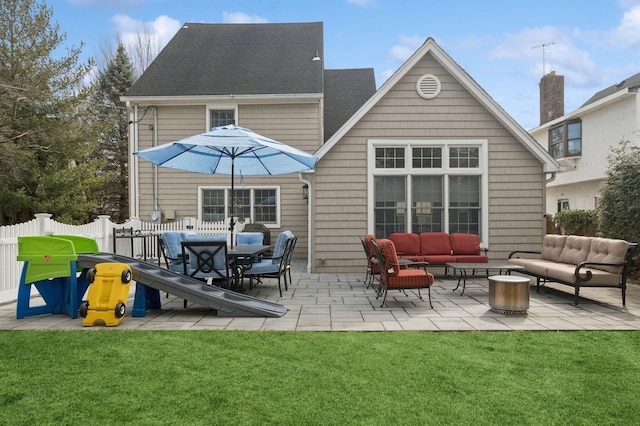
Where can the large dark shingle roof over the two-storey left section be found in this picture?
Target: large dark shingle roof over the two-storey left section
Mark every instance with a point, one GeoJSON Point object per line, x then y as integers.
{"type": "Point", "coordinates": [238, 59]}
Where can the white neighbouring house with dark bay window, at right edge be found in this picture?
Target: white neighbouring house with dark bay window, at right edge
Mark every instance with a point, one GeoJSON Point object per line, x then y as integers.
{"type": "Point", "coordinates": [582, 140]}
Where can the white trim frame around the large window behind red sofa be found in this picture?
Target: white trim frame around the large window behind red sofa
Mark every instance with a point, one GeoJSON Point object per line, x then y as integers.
{"type": "Point", "coordinates": [482, 170]}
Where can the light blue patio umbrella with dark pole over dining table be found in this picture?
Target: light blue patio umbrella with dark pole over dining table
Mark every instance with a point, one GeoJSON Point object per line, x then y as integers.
{"type": "Point", "coordinates": [229, 148]}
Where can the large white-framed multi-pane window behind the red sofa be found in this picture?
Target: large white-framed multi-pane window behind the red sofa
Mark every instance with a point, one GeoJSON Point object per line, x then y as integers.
{"type": "Point", "coordinates": [428, 186]}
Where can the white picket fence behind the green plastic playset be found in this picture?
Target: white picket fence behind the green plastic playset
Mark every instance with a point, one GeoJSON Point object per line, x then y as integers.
{"type": "Point", "coordinates": [133, 238]}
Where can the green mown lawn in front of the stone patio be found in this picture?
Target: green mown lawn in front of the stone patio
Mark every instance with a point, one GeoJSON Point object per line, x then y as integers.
{"type": "Point", "coordinates": [105, 377]}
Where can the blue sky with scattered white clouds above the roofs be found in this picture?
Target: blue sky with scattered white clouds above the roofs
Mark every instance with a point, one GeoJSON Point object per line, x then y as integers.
{"type": "Point", "coordinates": [506, 46]}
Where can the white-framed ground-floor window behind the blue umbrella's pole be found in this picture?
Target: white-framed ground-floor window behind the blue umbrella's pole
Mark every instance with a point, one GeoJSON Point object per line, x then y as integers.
{"type": "Point", "coordinates": [260, 203]}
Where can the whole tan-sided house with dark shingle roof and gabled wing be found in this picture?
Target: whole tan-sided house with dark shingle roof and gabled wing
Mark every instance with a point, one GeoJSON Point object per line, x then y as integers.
{"type": "Point", "coordinates": [428, 151]}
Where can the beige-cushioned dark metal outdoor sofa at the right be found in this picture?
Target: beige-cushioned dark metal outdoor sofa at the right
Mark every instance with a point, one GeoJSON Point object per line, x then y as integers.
{"type": "Point", "coordinates": [578, 261]}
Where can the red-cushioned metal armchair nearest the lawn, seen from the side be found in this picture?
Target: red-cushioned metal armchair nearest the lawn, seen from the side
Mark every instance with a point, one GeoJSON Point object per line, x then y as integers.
{"type": "Point", "coordinates": [394, 275]}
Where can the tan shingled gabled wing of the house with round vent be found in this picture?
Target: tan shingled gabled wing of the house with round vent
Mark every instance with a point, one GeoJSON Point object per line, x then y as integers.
{"type": "Point", "coordinates": [430, 151]}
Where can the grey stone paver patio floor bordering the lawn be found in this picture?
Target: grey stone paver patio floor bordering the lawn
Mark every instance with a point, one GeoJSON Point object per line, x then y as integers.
{"type": "Point", "coordinates": [342, 302]}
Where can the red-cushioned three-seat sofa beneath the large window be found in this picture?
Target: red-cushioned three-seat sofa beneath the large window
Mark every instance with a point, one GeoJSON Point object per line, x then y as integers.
{"type": "Point", "coordinates": [439, 248]}
